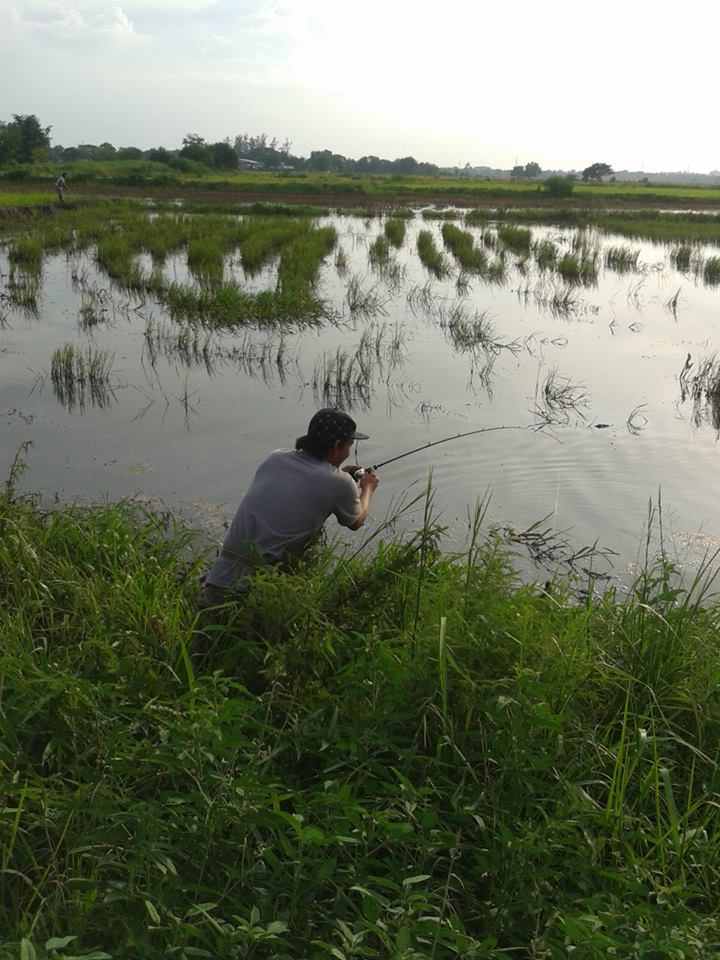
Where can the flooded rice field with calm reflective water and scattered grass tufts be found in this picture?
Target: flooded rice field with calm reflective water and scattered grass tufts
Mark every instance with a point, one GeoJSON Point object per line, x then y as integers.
{"type": "Point", "coordinates": [598, 352]}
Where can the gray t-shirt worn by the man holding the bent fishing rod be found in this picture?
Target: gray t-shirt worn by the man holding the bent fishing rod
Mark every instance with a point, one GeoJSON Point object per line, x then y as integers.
{"type": "Point", "coordinates": [290, 498]}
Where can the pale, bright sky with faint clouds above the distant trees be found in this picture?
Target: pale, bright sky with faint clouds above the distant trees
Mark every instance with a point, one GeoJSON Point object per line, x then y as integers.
{"type": "Point", "coordinates": [626, 82]}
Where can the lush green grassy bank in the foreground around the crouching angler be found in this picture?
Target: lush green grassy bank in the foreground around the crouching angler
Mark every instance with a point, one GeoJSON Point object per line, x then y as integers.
{"type": "Point", "coordinates": [406, 756]}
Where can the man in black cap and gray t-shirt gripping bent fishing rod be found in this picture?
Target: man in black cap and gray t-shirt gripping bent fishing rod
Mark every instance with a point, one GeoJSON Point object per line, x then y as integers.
{"type": "Point", "coordinates": [291, 496]}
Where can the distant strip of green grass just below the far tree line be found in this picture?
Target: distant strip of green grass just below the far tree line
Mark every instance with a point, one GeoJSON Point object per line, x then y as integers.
{"type": "Point", "coordinates": [155, 177]}
